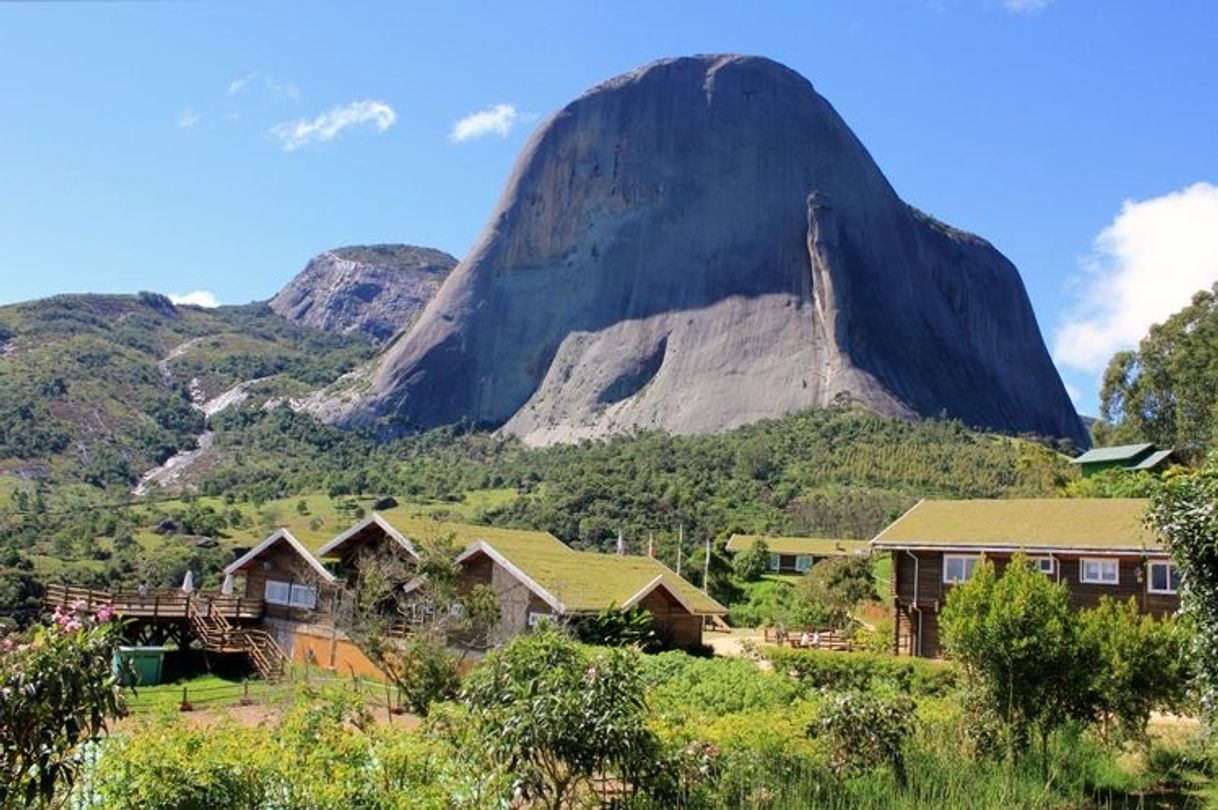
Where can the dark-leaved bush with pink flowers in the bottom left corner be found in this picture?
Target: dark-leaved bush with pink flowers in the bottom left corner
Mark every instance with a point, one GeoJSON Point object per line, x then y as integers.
{"type": "Point", "coordinates": [58, 690]}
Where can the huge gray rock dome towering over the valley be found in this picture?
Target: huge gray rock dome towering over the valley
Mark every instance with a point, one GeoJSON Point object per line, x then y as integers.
{"type": "Point", "coordinates": [700, 244]}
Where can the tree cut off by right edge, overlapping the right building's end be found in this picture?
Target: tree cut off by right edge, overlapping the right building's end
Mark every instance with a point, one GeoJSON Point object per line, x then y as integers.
{"type": "Point", "coordinates": [1186, 512]}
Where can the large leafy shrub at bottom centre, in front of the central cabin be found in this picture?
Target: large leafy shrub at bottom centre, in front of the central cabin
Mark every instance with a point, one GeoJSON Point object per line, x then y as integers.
{"type": "Point", "coordinates": [560, 714]}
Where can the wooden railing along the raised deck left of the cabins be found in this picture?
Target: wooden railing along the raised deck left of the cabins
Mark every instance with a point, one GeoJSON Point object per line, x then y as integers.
{"type": "Point", "coordinates": [161, 605]}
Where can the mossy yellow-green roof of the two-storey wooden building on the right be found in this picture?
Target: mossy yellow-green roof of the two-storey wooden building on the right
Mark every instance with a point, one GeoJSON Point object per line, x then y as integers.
{"type": "Point", "coordinates": [1032, 523]}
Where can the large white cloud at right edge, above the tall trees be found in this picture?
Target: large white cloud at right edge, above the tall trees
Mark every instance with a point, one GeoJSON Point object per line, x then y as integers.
{"type": "Point", "coordinates": [1144, 267]}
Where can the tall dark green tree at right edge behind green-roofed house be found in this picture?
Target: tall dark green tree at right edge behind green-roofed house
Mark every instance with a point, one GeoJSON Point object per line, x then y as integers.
{"type": "Point", "coordinates": [1167, 390]}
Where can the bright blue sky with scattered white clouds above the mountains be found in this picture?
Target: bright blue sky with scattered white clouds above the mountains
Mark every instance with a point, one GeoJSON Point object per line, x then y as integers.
{"type": "Point", "coordinates": [217, 147]}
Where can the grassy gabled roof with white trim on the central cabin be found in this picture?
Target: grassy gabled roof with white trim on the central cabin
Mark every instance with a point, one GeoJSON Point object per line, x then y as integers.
{"type": "Point", "coordinates": [573, 582]}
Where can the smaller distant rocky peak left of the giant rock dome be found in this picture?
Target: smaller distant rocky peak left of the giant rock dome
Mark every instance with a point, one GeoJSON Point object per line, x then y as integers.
{"type": "Point", "coordinates": [376, 291]}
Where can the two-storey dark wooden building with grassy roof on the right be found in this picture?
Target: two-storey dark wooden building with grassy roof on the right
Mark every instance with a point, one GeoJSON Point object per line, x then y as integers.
{"type": "Point", "coordinates": [1098, 548]}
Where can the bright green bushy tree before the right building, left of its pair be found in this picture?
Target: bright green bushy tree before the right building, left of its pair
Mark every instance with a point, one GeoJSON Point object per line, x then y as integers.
{"type": "Point", "coordinates": [1018, 639]}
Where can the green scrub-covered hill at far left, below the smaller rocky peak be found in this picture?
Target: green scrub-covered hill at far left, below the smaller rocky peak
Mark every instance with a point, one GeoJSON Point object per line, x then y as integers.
{"type": "Point", "coordinates": [99, 389]}
